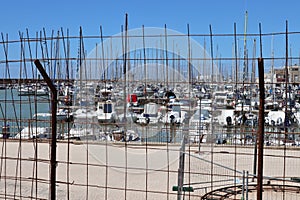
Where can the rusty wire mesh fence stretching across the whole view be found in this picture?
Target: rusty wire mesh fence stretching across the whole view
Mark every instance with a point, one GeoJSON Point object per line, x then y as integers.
{"type": "Point", "coordinates": [149, 113]}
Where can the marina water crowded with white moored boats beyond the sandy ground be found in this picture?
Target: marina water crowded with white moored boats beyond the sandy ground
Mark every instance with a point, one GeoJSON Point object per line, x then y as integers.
{"type": "Point", "coordinates": [160, 115]}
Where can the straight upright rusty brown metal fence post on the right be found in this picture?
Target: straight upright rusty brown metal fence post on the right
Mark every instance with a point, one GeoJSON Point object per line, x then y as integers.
{"type": "Point", "coordinates": [260, 131]}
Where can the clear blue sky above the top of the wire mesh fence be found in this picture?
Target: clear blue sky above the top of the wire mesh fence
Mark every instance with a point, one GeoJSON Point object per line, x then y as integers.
{"type": "Point", "coordinates": [17, 15]}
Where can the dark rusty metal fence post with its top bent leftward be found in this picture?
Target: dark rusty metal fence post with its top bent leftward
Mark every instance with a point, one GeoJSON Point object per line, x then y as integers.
{"type": "Point", "coordinates": [53, 127]}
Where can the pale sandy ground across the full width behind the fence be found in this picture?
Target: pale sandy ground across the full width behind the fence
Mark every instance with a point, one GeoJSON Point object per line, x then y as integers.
{"type": "Point", "coordinates": [115, 171]}
